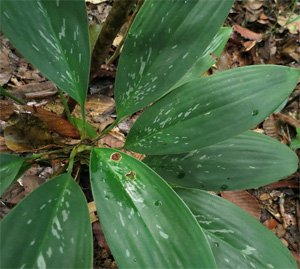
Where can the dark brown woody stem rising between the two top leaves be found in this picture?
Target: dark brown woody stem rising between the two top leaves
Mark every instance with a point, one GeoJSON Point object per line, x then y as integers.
{"type": "Point", "coordinates": [111, 27]}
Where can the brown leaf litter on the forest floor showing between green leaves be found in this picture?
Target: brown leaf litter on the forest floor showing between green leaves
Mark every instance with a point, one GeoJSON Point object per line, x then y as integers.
{"type": "Point", "coordinates": [263, 33]}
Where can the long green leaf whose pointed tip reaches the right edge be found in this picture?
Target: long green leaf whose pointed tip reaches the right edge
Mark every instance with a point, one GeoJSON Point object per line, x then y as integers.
{"type": "Point", "coordinates": [211, 109]}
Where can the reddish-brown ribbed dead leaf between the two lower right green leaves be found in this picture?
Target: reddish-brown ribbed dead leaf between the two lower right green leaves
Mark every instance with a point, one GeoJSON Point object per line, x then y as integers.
{"type": "Point", "coordinates": [244, 200]}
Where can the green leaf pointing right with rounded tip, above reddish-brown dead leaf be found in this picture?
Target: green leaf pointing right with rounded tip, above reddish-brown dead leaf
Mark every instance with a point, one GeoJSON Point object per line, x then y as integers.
{"type": "Point", "coordinates": [249, 160]}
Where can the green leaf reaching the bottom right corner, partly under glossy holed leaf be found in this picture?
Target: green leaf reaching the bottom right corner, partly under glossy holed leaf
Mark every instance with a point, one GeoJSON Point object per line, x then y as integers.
{"type": "Point", "coordinates": [237, 239]}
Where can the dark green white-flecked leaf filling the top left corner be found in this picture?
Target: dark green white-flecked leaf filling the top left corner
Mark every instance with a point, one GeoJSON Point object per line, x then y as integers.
{"type": "Point", "coordinates": [53, 36]}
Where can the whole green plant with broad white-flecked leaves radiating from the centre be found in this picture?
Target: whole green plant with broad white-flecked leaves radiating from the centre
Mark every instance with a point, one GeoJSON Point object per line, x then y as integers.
{"type": "Point", "coordinates": [193, 131]}
